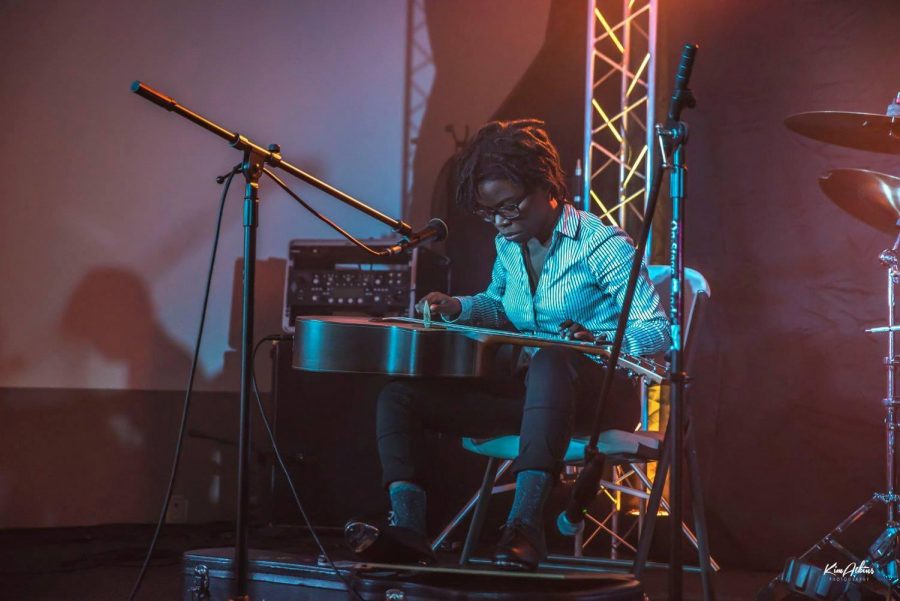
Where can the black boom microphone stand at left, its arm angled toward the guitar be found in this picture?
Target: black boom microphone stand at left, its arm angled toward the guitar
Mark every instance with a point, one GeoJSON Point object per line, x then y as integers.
{"type": "Point", "coordinates": [255, 157]}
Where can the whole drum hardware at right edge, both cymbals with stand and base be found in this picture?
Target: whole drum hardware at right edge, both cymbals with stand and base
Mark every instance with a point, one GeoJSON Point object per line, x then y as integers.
{"type": "Point", "coordinates": [874, 199]}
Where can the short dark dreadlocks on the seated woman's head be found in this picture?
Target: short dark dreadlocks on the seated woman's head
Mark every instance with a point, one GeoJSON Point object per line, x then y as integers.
{"type": "Point", "coordinates": [519, 151]}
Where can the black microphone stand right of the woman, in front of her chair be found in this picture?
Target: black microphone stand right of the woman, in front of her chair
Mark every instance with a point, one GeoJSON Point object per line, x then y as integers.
{"type": "Point", "coordinates": [672, 138]}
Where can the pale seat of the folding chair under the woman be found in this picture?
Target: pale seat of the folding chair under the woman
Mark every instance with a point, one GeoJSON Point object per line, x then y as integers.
{"type": "Point", "coordinates": [616, 444]}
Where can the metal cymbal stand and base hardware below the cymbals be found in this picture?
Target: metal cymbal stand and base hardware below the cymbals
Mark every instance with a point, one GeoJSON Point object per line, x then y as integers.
{"type": "Point", "coordinates": [881, 562]}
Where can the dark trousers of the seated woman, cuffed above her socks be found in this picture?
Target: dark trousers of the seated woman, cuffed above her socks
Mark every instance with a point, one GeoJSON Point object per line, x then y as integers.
{"type": "Point", "coordinates": [556, 400]}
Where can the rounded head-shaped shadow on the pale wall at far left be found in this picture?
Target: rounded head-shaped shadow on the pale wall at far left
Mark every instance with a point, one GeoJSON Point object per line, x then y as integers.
{"type": "Point", "coordinates": [111, 311]}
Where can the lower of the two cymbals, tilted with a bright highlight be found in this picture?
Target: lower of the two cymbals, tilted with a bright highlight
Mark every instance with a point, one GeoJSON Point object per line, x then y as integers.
{"type": "Point", "coordinates": [871, 197]}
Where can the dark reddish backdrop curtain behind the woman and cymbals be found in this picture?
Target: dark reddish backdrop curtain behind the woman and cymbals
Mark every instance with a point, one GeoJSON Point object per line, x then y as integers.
{"type": "Point", "coordinates": [788, 396]}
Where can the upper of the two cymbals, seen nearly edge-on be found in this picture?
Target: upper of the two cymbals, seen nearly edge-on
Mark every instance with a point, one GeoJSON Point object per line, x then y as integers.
{"type": "Point", "coordinates": [863, 131]}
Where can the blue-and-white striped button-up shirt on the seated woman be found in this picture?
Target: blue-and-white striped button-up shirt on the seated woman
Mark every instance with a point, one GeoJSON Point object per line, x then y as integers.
{"type": "Point", "coordinates": [583, 279]}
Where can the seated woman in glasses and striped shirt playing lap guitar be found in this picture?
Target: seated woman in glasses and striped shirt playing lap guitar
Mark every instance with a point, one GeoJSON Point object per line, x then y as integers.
{"type": "Point", "coordinates": [558, 270]}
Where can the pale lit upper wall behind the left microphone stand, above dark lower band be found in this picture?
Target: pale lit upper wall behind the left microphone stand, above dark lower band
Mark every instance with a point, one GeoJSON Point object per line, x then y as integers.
{"type": "Point", "coordinates": [115, 199]}
